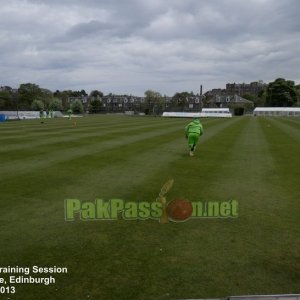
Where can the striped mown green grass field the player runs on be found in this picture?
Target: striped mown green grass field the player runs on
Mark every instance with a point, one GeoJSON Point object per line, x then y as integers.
{"type": "Point", "coordinates": [252, 160]}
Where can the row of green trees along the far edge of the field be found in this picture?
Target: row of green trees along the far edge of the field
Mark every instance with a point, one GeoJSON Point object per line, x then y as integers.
{"type": "Point", "coordinates": [30, 96]}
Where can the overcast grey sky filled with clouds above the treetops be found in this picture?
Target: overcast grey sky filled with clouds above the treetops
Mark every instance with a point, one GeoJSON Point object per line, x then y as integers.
{"type": "Point", "coordinates": [130, 46]}
